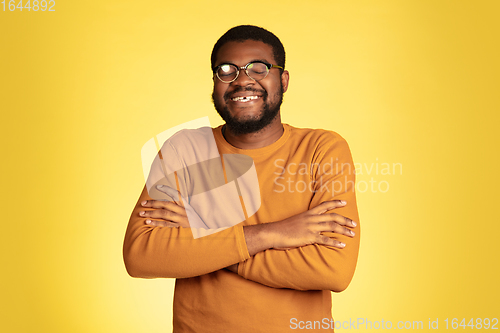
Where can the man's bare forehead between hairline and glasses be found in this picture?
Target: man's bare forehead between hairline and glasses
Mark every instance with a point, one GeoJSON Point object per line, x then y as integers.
{"type": "Point", "coordinates": [241, 53]}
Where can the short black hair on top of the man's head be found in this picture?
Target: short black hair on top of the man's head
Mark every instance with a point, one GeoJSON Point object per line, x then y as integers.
{"type": "Point", "coordinates": [242, 33]}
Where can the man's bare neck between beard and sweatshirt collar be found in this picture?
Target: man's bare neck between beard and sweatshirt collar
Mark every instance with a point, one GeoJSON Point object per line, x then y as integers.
{"type": "Point", "coordinates": [266, 136]}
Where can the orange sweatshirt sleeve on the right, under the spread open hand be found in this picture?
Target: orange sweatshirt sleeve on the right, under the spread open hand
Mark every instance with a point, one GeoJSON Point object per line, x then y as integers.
{"type": "Point", "coordinates": [316, 267]}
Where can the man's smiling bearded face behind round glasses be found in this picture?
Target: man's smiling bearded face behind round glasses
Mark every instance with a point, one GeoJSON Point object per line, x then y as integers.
{"type": "Point", "coordinates": [248, 115]}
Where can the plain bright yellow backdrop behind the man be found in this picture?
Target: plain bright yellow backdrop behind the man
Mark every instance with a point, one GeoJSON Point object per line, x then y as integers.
{"type": "Point", "coordinates": [84, 87]}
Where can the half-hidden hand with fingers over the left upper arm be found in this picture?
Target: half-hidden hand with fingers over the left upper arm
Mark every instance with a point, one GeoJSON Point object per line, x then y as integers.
{"type": "Point", "coordinates": [164, 214]}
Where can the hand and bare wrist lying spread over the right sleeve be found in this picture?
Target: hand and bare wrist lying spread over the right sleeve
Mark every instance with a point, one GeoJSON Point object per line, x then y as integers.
{"type": "Point", "coordinates": [300, 230]}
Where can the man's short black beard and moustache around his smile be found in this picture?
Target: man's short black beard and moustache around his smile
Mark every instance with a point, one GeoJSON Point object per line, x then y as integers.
{"type": "Point", "coordinates": [252, 124]}
